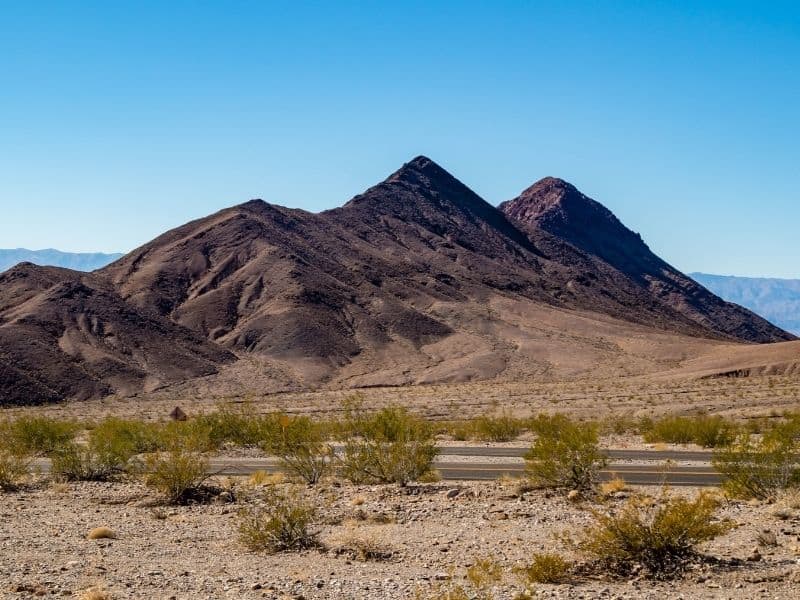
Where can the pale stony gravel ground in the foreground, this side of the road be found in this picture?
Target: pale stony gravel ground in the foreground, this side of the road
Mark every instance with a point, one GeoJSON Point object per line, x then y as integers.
{"type": "Point", "coordinates": [431, 533]}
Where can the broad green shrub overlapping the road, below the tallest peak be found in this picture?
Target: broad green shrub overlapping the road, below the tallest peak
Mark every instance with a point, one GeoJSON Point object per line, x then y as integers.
{"type": "Point", "coordinates": [390, 446]}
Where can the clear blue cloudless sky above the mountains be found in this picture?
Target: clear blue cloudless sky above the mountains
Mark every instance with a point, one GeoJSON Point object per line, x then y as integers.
{"type": "Point", "coordinates": [119, 120]}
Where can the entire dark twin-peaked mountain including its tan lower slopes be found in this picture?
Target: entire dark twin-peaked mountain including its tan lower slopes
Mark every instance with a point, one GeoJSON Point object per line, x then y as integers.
{"type": "Point", "coordinates": [416, 280]}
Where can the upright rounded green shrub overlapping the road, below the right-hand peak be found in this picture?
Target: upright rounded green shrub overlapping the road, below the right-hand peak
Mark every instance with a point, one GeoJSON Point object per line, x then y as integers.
{"type": "Point", "coordinates": [565, 454]}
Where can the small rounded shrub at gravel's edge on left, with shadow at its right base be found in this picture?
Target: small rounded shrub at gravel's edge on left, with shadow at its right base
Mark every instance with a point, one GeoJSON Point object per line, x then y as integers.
{"type": "Point", "coordinates": [177, 473]}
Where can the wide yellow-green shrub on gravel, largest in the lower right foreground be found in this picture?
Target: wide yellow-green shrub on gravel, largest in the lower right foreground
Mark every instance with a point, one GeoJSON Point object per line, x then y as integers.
{"type": "Point", "coordinates": [660, 536]}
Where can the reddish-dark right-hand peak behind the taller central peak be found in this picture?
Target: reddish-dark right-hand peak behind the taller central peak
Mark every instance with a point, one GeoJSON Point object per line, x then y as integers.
{"type": "Point", "coordinates": [558, 208]}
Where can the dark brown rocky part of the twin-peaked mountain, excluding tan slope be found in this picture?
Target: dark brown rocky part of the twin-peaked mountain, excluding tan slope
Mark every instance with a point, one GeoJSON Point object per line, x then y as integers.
{"type": "Point", "coordinates": [360, 280]}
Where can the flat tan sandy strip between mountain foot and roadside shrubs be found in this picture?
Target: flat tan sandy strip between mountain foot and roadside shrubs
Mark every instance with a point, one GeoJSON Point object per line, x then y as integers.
{"type": "Point", "coordinates": [749, 397]}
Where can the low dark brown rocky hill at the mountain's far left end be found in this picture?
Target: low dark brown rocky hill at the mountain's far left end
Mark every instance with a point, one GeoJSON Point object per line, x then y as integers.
{"type": "Point", "coordinates": [65, 334]}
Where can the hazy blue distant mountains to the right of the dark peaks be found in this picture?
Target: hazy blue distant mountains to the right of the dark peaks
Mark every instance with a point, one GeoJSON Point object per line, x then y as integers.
{"type": "Point", "coordinates": [777, 300]}
